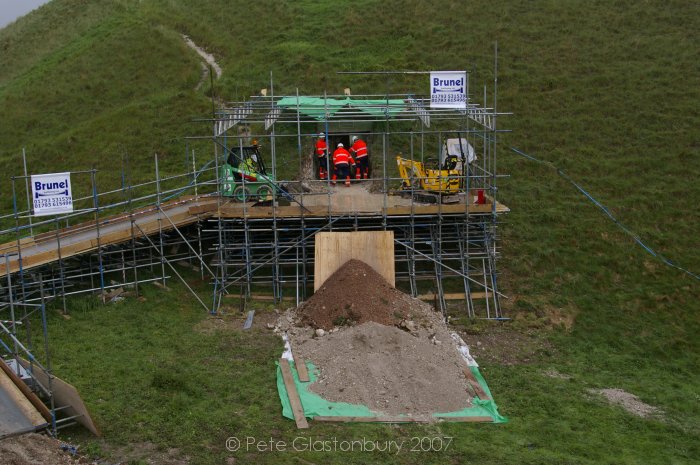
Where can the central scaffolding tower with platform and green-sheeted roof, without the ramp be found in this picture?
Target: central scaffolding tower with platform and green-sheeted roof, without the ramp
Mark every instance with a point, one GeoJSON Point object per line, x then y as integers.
{"type": "Point", "coordinates": [450, 247]}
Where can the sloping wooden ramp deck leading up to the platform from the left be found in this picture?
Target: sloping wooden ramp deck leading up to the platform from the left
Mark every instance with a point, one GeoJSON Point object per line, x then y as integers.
{"type": "Point", "coordinates": [81, 238]}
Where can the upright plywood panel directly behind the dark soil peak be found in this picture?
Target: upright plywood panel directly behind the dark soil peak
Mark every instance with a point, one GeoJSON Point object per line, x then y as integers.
{"type": "Point", "coordinates": [334, 249]}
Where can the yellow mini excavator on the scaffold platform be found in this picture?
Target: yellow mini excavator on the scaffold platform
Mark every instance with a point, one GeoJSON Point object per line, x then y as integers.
{"type": "Point", "coordinates": [442, 183]}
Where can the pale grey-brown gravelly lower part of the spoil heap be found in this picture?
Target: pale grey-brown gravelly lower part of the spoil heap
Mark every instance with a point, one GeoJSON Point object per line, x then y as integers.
{"type": "Point", "coordinates": [388, 369]}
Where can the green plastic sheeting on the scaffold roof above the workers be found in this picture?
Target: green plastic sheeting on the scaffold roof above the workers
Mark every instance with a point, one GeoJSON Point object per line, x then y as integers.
{"type": "Point", "coordinates": [316, 107]}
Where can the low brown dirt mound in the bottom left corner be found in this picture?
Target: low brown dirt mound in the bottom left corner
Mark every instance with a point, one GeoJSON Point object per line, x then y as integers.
{"type": "Point", "coordinates": [33, 449]}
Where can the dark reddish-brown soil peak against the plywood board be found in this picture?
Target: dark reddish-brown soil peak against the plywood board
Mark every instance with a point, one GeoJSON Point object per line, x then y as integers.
{"type": "Point", "coordinates": [355, 294]}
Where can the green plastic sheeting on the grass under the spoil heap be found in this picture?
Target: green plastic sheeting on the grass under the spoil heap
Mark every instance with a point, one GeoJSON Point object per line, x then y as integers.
{"type": "Point", "coordinates": [315, 405]}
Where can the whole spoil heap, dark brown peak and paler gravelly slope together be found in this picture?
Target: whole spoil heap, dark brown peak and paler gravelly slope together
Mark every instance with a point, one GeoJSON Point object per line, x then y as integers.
{"type": "Point", "coordinates": [377, 346]}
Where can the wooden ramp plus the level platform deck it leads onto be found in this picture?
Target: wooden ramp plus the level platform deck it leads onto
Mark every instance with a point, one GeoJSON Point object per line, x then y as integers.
{"type": "Point", "coordinates": [49, 247]}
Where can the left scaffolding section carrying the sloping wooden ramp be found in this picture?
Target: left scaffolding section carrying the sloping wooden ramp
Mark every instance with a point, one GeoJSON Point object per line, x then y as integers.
{"type": "Point", "coordinates": [110, 244]}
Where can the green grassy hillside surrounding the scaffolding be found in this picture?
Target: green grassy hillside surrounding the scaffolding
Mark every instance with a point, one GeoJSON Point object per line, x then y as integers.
{"type": "Point", "coordinates": [607, 92]}
